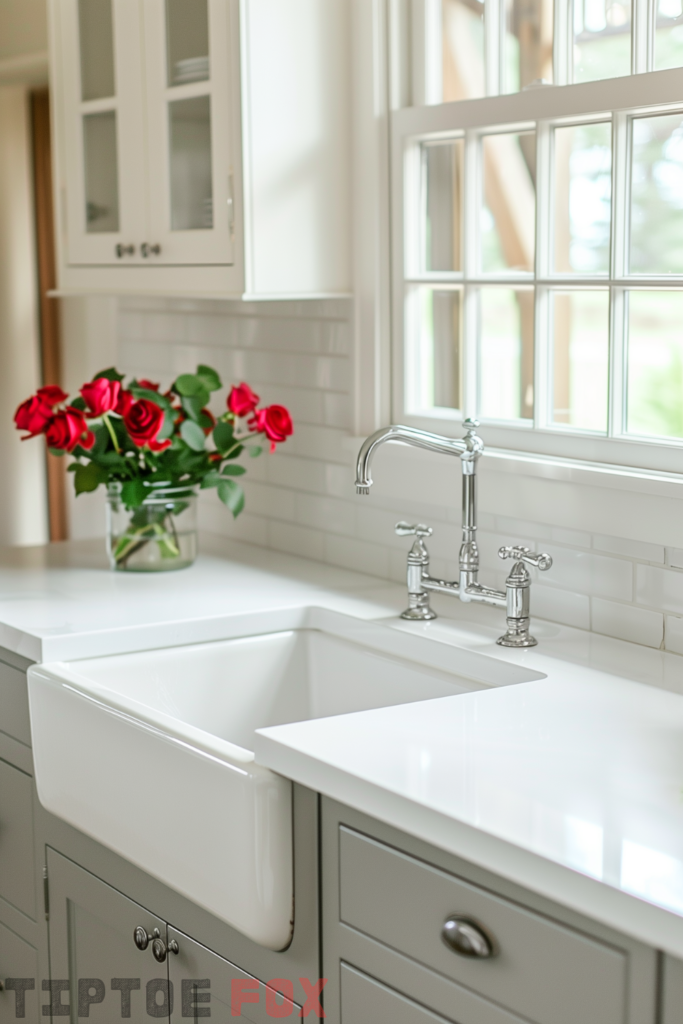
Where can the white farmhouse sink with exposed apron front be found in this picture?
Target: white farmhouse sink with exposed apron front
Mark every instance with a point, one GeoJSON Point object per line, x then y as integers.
{"type": "Point", "coordinates": [151, 753]}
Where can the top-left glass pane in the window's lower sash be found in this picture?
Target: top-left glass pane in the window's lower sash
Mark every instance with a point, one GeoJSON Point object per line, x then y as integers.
{"type": "Point", "coordinates": [443, 170]}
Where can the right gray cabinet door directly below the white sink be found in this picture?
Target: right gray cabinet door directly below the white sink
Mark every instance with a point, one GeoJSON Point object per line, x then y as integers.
{"type": "Point", "coordinates": [206, 986]}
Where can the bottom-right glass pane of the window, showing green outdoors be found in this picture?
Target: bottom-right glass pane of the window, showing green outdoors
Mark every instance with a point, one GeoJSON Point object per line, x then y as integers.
{"type": "Point", "coordinates": [656, 364]}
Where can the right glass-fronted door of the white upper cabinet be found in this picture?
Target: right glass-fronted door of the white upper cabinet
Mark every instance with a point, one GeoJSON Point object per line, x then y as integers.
{"type": "Point", "coordinates": [189, 81]}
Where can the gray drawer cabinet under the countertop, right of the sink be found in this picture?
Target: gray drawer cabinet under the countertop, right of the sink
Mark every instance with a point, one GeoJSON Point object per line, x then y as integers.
{"type": "Point", "coordinates": [387, 900]}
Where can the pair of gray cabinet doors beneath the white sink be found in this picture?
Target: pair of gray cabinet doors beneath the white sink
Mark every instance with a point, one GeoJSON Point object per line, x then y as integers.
{"type": "Point", "coordinates": [111, 959]}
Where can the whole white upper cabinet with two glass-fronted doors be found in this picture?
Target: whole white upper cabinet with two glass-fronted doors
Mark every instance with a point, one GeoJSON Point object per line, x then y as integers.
{"type": "Point", "coordinates": [202, 147]}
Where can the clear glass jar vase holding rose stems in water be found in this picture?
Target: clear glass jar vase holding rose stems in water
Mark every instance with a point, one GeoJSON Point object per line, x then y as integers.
{"type": "Point", "coordinates": [158, 536]}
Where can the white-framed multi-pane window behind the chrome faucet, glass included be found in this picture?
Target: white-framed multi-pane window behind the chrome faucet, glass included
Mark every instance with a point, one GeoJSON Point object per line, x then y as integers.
{"type": "Point", "coordinates": [539, 228]}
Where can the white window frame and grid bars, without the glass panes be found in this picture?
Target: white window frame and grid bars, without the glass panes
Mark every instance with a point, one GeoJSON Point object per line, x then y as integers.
{"type": "Point", "coordinates": [619, 100]}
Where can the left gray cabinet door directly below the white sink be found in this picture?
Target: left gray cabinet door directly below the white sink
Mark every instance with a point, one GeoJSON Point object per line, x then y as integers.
{"type": "Point", "coordinates": [97, 968]}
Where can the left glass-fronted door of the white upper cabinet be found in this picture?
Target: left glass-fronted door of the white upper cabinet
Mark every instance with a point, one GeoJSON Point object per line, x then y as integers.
{"type": "Point", "coordinates": [104, 125]}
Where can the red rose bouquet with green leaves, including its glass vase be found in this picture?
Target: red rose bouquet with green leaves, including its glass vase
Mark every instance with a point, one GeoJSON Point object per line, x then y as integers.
{"type": "Point", "coordinates": [153, 451]}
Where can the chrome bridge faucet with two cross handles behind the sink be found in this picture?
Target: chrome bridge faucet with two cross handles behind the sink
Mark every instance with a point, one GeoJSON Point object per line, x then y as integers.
{"type": "Point", "coordinates": [420, 583]}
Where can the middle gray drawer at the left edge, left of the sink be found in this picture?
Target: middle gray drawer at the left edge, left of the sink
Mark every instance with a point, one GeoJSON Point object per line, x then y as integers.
{"type": "Point", "coordinates": [17, 855]}
